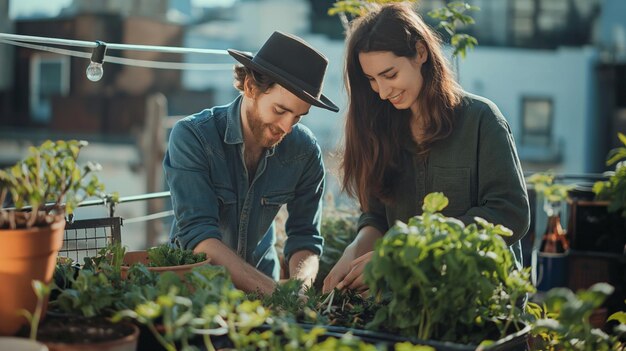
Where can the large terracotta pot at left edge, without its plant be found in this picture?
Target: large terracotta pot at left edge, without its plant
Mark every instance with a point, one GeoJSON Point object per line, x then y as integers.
{"type": "Point", "coordinates": [25, 255]}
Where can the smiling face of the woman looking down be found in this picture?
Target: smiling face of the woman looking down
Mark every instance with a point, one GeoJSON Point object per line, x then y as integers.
{"type": "Point", "coordinates": [394, 78]}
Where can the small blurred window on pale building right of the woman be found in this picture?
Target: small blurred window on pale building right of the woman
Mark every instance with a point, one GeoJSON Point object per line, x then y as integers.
{"type": "Point", "coordinates": [536, 120]}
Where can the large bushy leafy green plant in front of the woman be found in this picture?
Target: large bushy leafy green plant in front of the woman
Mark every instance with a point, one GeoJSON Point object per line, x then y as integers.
{"type": "Point", "coordinates": [462, 278]}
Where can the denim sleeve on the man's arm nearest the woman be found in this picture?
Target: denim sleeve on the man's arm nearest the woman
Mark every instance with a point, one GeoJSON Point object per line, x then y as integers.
{"type": "Point", "coordinates": [305, 210]}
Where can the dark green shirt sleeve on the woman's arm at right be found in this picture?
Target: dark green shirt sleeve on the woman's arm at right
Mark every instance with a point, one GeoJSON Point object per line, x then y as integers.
{"type": "Point", "coordinates": [502, 195]}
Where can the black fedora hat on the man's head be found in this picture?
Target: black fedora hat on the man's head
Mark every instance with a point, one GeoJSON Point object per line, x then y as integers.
{"type": "Point", "coordinates": [293, 64]}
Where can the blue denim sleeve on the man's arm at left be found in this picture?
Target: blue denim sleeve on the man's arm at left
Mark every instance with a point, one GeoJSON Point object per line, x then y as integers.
{"type": "Point", "coordinates": [195, 204]}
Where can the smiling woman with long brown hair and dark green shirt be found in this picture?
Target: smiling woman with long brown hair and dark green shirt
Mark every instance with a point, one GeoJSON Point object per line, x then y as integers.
{"type": "Point", "coordinates": [411, 130]}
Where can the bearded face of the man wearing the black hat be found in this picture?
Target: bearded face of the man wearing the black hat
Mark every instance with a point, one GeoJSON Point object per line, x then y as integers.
{"type": "Point", "coordinates": [273, 113]}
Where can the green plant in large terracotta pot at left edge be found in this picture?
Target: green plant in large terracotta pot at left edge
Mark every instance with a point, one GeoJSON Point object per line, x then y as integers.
{"type": "Point", "coordinates": [51, 184]}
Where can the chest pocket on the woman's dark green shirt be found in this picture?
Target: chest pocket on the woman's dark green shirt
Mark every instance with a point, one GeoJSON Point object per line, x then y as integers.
{"type": "Point", "coordinates": [455, 184]}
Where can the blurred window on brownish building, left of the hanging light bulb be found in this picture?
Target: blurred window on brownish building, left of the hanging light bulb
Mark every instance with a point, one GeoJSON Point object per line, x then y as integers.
{"type": "Point", "coordinates": [49, 76]}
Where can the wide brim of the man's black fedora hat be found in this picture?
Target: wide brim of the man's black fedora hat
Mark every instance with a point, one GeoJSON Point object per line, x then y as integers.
{"type": "Point", "coordinates": [281, 79]}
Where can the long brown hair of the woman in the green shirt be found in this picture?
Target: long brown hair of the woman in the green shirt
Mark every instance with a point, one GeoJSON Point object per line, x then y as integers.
{"type": "Point", "coordinates": [377, 133]}
